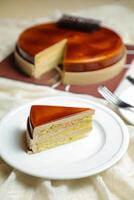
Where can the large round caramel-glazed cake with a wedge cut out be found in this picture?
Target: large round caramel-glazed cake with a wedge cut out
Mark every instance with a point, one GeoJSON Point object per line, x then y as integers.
{"type": "Point", "coordinates": [86, 56]}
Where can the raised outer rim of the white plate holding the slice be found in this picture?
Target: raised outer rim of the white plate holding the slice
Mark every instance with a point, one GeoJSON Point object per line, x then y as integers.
{"type": "Point", "coordinates": [85, 174]}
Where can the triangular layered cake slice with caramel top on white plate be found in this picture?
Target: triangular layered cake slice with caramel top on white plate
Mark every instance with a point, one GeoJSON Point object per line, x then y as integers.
{"type": "Point", "coordinates": [50, 126]}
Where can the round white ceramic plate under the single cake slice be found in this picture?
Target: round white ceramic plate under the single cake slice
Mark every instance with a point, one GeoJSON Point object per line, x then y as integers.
{"type": "Point", "coordinates": [104, 146]}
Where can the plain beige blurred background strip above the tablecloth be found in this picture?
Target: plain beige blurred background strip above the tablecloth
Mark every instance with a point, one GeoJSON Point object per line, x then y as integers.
{"type": "Point", "coordinates": [27, 9]}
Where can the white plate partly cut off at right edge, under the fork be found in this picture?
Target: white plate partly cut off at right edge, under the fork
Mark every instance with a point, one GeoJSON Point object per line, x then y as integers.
{"type": "Point", "coordinates": [128, 96]}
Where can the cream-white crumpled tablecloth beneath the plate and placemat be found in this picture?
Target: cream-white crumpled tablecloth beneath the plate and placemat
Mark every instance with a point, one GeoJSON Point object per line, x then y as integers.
{"type": "Point", "coordinates": [116, 183]}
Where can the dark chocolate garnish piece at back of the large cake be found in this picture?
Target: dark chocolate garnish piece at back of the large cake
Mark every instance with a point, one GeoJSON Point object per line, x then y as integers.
{"type": "Point", "coordinates": [79, 23]}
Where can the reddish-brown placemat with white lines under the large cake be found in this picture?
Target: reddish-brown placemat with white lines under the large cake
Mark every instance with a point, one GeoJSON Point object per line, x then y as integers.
{"type": "Point", "coordinates": [8, 69]}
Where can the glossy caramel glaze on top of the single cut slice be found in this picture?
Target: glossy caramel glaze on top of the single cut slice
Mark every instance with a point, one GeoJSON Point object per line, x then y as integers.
{"type": "Point", "coordinates": [40, 115]}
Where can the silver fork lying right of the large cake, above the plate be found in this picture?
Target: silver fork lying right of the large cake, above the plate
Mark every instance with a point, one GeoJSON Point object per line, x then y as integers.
{"type": "Point", "coordinates": [113, 99]}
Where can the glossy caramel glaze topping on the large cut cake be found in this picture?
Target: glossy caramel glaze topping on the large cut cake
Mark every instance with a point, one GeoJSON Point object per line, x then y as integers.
{"type": "Point", "coordinates": [85, 51]}
